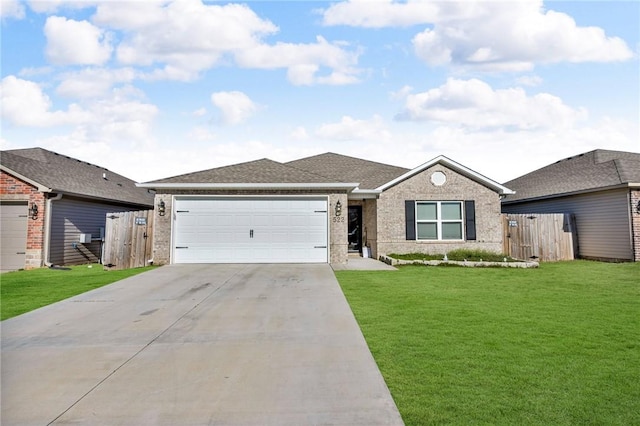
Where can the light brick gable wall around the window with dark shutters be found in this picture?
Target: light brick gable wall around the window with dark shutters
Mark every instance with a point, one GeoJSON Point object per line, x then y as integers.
{"type": "Point", "coordinates": [391, 213]}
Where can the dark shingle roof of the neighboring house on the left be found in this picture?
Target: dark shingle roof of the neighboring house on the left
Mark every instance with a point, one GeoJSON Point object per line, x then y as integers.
{"type": "Point", "coordinates": [68, 175]}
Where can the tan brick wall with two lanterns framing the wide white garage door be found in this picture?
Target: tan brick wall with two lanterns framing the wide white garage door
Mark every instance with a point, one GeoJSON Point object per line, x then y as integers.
{"type": "Point", "coordinates": [338, 243]}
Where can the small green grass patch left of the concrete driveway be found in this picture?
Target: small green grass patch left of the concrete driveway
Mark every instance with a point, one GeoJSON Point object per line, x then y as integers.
{"type": "Point", "coordinates": [24, 291]}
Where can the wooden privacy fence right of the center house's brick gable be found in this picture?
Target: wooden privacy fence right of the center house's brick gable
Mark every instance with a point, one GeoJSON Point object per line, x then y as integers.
{"type": "Point", "coordinates": [540, 237]}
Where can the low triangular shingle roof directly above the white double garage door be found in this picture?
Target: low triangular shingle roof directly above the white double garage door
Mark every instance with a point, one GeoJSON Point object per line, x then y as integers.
{"type": "Point", "coordinates": [259, 171]}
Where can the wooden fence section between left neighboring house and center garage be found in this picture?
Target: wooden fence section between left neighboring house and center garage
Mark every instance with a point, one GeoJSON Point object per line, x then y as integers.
{"type": "Point", "coordinates": [128, 239]}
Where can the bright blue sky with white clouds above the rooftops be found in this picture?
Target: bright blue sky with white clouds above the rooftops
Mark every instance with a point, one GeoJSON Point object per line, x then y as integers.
{"type": "Point", "coordinates": [151, 89]}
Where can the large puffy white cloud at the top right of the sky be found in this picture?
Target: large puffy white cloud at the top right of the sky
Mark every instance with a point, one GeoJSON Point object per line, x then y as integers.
{"type": "Point", "coordinates": [514, 36]}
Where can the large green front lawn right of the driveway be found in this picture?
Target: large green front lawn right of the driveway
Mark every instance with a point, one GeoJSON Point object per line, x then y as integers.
{"type": "Point", "coordinates": [557, 345]}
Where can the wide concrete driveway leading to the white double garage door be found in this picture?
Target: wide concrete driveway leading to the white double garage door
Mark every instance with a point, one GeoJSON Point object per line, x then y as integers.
{"type": "Point", "coordinates": [195, 345]}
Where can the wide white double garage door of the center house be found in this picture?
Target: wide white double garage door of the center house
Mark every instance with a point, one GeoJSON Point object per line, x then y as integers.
{"type": "Point", "coordinates": [250, 230]}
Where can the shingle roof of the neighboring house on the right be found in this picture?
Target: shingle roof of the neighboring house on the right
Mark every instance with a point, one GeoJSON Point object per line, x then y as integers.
{"type": "Point", "coordinates": [584, 172]}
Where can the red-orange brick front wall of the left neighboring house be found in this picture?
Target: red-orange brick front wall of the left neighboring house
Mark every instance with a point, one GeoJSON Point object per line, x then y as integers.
{"type": "Point", "coordinates": [14, 189]}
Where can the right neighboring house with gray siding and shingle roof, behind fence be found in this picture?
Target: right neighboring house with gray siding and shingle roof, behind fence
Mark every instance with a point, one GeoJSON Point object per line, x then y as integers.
{"type": "Point", "coordinates": [600, 188]}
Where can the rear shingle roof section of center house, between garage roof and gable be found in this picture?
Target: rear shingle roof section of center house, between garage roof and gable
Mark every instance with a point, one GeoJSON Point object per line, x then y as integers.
{"type": "Point", "coordinates": [342, 168]}
